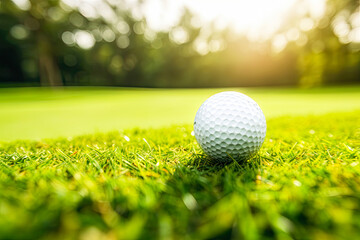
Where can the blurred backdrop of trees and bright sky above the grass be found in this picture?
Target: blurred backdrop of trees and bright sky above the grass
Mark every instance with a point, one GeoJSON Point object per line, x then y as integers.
{"type": "Point", "coordinates": [163, 43]}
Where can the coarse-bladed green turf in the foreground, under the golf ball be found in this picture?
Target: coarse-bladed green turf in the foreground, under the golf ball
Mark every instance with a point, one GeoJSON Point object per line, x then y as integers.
{"type": "Point", "coordinates": [157, 184]}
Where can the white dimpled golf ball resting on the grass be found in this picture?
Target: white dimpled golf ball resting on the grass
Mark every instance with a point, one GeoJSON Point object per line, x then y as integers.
{"type": "Point", "coordinates": [230, 125]}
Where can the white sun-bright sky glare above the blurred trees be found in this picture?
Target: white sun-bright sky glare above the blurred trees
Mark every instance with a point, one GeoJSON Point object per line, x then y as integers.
{"type": "Point", "coordinates": [257, 19]}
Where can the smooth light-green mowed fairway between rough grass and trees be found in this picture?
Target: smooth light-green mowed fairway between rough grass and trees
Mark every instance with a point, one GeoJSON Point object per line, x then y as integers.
{"type": "Point", "coordinates": [32, 113]}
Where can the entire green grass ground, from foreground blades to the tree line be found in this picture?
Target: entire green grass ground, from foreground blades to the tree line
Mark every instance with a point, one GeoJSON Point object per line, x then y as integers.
{"type": "Point", "coordinates": [123, 163]}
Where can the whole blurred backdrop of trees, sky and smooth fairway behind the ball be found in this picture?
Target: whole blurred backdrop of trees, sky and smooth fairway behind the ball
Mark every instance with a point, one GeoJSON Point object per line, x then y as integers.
{"type": "Point", "coordinates": [303, 57]}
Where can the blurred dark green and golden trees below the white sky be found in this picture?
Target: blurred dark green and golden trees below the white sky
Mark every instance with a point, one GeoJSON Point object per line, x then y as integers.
{"type": "Point", "coordinates": [51, 43]}
